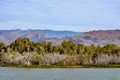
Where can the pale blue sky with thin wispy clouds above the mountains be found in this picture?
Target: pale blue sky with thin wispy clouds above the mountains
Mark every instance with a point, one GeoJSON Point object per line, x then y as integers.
{"type": "Point", "coordinates": [73, 15]}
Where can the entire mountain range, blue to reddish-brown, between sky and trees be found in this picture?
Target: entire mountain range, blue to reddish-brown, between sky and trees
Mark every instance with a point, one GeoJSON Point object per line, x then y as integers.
{"type": "Point", "coordinates": [100, 37]}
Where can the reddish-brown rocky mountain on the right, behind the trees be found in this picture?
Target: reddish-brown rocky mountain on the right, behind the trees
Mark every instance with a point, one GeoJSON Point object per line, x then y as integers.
{"type": "Point", "coordinates": [100, 37]}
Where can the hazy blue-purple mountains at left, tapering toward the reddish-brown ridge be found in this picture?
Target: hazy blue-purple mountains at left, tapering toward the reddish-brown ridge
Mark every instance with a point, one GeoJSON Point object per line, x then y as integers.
{"type": "Point", "coordinates": [8, 36]}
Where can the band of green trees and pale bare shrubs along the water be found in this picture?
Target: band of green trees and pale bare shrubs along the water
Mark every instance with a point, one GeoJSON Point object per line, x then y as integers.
{"type": "Point", "coordinates": [23, 51]}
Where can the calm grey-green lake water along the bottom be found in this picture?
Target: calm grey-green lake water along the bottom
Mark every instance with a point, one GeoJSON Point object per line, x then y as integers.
{"type": "Point", "coordinates": [59, 74]}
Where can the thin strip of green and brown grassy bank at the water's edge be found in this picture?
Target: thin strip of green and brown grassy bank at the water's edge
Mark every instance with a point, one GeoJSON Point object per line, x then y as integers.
{"type": "Point", "coordinates": [61, 66]}
